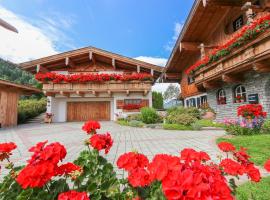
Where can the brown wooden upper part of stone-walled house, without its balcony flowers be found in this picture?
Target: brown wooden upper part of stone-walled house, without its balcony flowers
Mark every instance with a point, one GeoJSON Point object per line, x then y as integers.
{"type": "Point", "coordinates": [209, 25]}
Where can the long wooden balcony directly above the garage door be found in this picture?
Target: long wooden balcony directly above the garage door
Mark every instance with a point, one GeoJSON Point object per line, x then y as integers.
{"type": "Point", "coordinates": [66, 89]}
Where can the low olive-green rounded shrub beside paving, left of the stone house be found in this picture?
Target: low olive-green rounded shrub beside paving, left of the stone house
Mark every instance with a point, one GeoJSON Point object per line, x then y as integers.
{"type": "Point", "coordinates": [184, 119]}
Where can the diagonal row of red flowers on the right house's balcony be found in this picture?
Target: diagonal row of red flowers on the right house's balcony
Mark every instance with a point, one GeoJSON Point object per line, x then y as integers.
{"type": "Point", "coordinates": [247, 33]}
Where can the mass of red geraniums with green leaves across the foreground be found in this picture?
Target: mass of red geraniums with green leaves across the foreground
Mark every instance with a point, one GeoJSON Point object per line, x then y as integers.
{"type": "Point", "coordinates": [190, 175]}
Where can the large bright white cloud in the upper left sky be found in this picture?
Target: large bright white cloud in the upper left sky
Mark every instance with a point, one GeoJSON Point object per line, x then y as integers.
{"type": "Point", "coordinates": [39, 37]}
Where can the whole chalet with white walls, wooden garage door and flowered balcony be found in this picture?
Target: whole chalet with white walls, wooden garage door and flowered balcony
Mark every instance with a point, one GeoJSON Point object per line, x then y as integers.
{"type": "Point", "coordinates": [90, 83]}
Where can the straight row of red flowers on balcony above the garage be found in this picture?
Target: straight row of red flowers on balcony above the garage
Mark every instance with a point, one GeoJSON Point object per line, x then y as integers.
{"type": "Point", "coordinates": [83, 78]}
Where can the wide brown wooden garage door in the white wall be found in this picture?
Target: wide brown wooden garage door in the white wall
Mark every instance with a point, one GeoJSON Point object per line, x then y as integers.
{"type": "Point", "coordinates": [83, 111]}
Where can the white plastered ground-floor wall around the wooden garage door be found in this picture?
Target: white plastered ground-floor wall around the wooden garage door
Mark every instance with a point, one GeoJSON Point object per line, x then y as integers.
{"type": "Point", "coordinates": [58, 105]}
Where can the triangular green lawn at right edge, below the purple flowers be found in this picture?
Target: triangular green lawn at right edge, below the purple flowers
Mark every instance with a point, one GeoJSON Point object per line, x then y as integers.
{"type": "Point", "coordinates": [258, 146]}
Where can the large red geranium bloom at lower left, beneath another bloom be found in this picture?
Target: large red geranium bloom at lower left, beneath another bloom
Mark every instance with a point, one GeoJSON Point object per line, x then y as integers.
{"type": "Point", "coordinates": [36, 175]}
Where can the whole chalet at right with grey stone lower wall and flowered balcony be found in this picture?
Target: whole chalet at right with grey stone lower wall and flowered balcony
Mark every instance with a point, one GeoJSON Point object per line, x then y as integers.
{"type": "Point", "coordinates": [222, 56]}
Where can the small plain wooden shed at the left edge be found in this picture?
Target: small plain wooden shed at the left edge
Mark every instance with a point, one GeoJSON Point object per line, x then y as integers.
{"type": "Point", "coordinates": [9, 96]}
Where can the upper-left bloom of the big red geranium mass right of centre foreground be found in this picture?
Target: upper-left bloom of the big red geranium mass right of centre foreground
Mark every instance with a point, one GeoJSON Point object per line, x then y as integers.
{"type": "Point", "coordinates": [132, 160]}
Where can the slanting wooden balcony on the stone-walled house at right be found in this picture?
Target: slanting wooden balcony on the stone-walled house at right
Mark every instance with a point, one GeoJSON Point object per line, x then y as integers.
{"type": "Point", "coordinates": [253, 56]}
